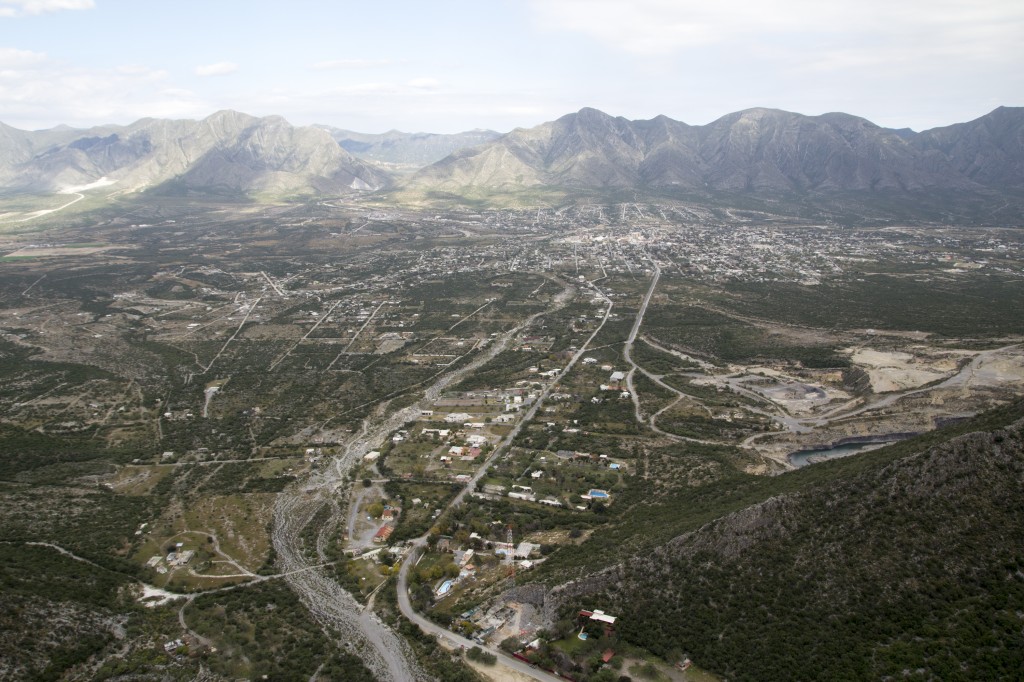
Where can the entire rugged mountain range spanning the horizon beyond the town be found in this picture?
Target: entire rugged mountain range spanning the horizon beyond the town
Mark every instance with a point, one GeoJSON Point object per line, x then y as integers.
{"type": "Point", "coordinates": [758, 153]}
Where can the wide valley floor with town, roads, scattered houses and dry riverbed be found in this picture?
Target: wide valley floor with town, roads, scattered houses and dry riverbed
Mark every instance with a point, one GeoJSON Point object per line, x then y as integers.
{"type": "Point", "coordinates": [453, 401]}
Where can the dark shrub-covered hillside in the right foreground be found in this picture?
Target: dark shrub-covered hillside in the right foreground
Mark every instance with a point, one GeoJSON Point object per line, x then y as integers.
{"type": "Point", "coordinates": [911, 566]}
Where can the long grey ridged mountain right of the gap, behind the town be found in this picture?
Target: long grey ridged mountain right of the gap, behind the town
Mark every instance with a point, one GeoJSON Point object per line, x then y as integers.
{"type": "Point", "coordinates": [758, 150]}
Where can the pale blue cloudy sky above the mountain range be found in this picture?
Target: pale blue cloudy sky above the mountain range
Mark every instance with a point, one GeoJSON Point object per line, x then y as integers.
{"type": "Point", "coordinates": [448, 66]}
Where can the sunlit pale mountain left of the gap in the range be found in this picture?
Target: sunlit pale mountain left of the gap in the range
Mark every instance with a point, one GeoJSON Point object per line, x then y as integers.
{"type": "Point", "coordinates": [228, 152]}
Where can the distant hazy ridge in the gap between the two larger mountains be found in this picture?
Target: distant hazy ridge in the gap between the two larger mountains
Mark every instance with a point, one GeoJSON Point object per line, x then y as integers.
{"type": "Point", "coordinates": [410, 151]}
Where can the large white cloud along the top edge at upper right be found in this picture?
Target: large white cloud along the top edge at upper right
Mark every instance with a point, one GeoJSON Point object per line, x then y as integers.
{"type": "Point", "coordinates": [667, 27]}
